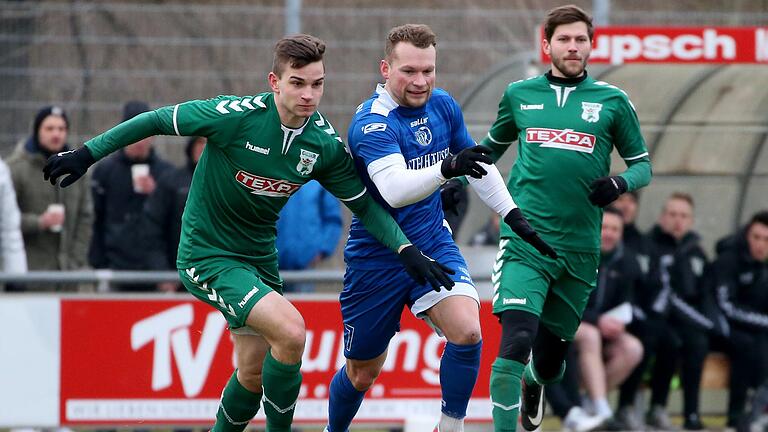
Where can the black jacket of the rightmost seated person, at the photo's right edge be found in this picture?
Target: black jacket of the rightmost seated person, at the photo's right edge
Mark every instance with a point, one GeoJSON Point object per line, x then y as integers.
{"type": "Point", "coordinates": [741, 286]}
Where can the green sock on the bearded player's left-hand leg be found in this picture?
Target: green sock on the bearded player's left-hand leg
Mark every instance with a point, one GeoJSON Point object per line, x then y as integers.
{"type": "Point", "coordinates": [505, 393]}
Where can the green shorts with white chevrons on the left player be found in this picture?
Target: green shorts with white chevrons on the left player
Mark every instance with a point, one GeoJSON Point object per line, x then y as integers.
{"type": "Point", "coordinates": [231, 286]}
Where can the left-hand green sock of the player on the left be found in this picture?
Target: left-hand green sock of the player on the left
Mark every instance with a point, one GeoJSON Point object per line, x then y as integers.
{"type": "Point", "coordinates": [237, 407]}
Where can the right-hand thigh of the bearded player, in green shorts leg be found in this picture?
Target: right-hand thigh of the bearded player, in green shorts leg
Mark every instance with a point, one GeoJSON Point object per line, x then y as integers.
{"type": "Point", "coordinates": [565, 305]}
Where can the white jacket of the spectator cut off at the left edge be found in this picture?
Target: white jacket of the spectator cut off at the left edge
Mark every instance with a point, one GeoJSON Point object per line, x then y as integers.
{"type": "Point", "coordinates": [11, 241]}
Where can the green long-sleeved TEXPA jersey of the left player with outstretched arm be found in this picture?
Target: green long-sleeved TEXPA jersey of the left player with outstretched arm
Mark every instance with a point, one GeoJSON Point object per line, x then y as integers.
{"type": "Point", "coordinates": [251, 165]}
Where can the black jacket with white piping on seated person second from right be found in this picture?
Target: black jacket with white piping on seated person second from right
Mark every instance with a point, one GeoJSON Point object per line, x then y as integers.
{"type": "Point", "coordinates": [675, 279]}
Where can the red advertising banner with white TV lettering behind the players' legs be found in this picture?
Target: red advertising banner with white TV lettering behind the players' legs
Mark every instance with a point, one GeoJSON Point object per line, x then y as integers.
{"type": "Point", "coordinates": [166, 361]}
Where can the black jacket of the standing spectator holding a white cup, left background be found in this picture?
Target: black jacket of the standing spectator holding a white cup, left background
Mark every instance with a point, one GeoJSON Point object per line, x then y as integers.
{"type": "Point", "coordinates": [117, 241]}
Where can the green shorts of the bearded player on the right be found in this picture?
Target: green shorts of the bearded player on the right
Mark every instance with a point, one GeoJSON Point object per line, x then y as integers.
{"type": "Point", "coordinates": [556, 291]}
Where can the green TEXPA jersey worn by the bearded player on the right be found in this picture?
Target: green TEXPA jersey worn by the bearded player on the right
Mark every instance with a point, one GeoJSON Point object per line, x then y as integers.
{"type": "Point", "coordinates": [566, 130]}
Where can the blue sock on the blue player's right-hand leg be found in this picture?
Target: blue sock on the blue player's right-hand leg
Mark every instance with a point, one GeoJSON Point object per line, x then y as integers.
{"type": "Point", "coordinates": [458, 374]}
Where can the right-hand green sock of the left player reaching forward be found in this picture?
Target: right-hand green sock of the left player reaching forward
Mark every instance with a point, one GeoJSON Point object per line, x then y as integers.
{"type": "Point", "coordinates": [281, 390]}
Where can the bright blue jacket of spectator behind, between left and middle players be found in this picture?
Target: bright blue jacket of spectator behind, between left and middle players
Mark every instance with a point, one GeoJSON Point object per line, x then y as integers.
{"type": "Point", "coordinates": [308, 231]}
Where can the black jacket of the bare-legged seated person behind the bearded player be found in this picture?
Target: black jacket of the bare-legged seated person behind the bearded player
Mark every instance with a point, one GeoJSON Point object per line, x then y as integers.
{"type": "Point", "coordinates": [619, 279]}
